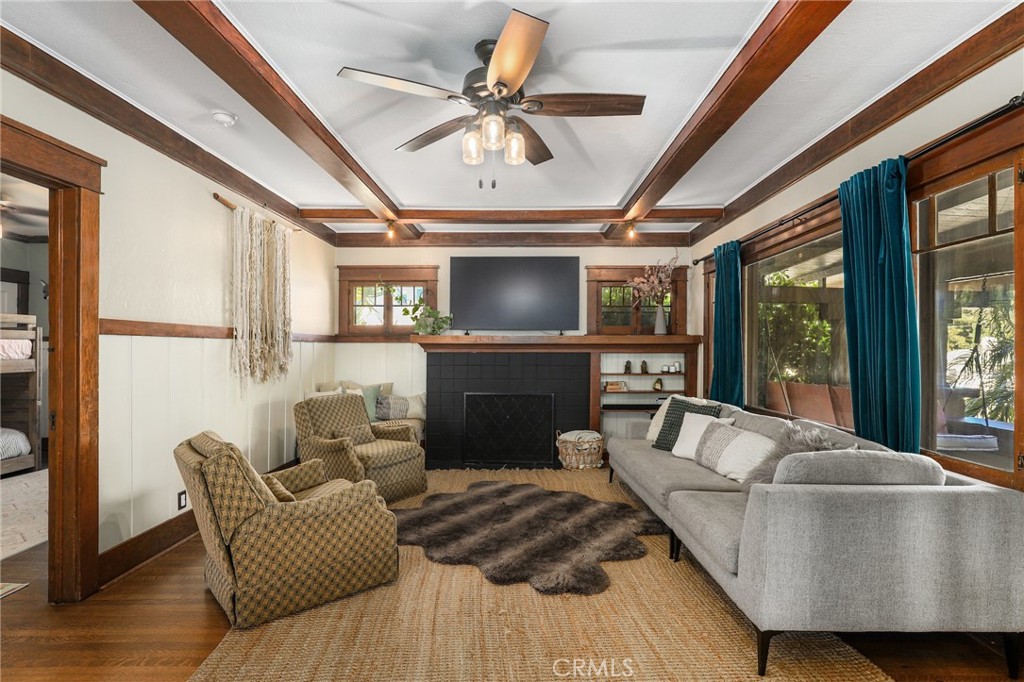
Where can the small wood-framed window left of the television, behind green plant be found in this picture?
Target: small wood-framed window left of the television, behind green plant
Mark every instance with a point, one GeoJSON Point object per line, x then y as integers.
{"type": "Point", "coordinates": [373, 300]}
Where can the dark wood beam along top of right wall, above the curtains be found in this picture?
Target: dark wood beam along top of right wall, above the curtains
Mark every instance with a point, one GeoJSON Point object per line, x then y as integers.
{"type": "Point", "coordinates": [995, 42]}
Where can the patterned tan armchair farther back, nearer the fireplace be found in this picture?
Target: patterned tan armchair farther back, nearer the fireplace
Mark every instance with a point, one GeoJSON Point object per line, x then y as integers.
{"type": "Point", "coordinates": [336, 430]}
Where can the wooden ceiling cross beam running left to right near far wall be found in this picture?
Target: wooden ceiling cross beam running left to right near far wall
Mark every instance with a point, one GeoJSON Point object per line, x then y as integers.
{"type": "Point", "coordinates": [532, 217]}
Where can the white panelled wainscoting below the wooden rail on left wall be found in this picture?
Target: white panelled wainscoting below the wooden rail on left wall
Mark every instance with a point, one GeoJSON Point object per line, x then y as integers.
{"type": "Point", "coordinates": [157, 392]}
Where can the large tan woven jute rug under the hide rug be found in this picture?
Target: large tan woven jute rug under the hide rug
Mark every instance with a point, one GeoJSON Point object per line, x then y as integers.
{"type": "Point", "coordinates": [658, 622]}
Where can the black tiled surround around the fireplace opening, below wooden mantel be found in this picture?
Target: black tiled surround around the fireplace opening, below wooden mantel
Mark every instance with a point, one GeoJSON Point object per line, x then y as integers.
{"type": "Point", "coordinates": [450, 375]}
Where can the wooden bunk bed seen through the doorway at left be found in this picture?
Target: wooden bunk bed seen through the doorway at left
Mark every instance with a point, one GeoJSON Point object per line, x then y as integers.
{"type": "Point", "coordinates": [21, 365]}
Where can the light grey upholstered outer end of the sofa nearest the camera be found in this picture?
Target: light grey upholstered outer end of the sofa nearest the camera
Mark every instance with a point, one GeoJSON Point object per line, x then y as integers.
{"type": "Point", "coordinates": [912, 559]}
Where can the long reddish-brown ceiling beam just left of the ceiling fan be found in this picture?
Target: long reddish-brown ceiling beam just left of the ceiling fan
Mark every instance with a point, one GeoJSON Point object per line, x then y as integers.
{"type": "Point", "coordinates": [205, 32]}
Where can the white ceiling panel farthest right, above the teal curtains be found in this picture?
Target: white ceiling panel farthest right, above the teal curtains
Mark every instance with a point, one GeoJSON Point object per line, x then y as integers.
{"type": "Point", "coordinates": [868, 51]}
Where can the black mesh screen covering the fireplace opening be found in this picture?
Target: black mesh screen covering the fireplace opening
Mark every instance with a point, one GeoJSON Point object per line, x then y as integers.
{"type": "Point", "coordinates": [508, 430]}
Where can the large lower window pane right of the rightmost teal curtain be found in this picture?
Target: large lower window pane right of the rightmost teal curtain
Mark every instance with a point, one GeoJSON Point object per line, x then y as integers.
{"type": "Point", "coordinates": [968, 406]}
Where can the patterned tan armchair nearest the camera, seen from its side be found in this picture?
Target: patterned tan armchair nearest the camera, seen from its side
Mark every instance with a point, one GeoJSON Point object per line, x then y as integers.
{"type": "Point", "coordinates": [274, 552]}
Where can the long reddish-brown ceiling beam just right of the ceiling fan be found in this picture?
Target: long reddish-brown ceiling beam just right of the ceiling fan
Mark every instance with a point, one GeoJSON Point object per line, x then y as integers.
{"type": "Point", "coordinates": [788, 30]}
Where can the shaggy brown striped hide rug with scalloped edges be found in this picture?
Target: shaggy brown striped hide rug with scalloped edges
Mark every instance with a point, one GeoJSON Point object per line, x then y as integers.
{"type": "Point", "coordinates": [523, 533]}
